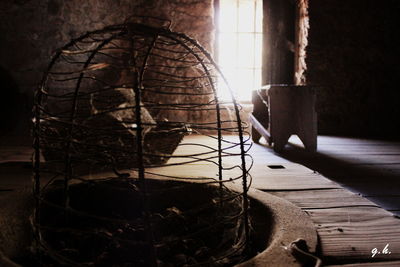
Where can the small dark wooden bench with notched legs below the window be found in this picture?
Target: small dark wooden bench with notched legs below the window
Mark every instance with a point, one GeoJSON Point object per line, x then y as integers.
{"type": "Point", "coordinates": [282, 110]}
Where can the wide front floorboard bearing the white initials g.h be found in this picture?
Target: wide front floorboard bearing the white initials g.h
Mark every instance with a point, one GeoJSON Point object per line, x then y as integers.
{"type": "Point", "coordinates": [351, 233]}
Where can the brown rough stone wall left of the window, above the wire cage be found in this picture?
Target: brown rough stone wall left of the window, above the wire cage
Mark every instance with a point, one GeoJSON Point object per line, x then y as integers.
{"type": "Point", "coordinates": [31, 31]}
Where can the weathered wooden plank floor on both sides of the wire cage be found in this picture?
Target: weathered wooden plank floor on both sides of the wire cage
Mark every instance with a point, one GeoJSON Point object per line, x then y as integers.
{"type": "Point", "coordinates": [349, 225]}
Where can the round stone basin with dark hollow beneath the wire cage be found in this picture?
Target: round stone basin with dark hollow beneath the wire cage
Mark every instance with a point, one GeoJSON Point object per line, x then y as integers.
{"type": "Point", "coordinates": [109, 212]}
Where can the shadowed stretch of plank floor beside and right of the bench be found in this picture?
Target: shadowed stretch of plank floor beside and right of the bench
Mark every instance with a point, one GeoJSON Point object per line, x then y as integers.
{"type": "Point", "coordinates": [368, 167]}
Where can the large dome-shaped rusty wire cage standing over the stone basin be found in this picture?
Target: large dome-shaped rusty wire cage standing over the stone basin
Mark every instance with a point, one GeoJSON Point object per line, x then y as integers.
{"type": "Point", "coordinates": [137, 162]}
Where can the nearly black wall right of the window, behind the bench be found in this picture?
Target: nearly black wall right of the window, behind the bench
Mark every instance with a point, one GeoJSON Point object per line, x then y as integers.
{"type": "Point", "coordinates": [350, 58]}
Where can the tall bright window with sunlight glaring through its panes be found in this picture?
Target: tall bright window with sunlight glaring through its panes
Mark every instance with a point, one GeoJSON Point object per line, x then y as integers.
{"type": "Point", "coordinates": [239, 34]}
